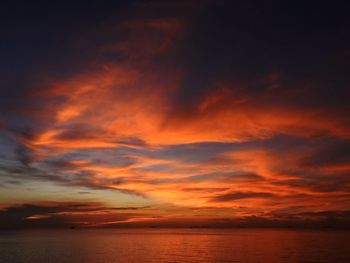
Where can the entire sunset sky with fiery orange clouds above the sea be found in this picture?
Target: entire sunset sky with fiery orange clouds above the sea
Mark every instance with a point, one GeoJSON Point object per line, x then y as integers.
{"type": "Point", "coordinates": [174, 113]}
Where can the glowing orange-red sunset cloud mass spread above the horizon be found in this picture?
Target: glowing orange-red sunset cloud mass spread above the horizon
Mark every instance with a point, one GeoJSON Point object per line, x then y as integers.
{"type": "Point", "coordinates": [128, 106]}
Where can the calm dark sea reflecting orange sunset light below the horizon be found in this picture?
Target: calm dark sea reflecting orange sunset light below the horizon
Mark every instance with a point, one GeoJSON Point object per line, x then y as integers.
{"type": "Point", "coordinates": [175, 245]}
